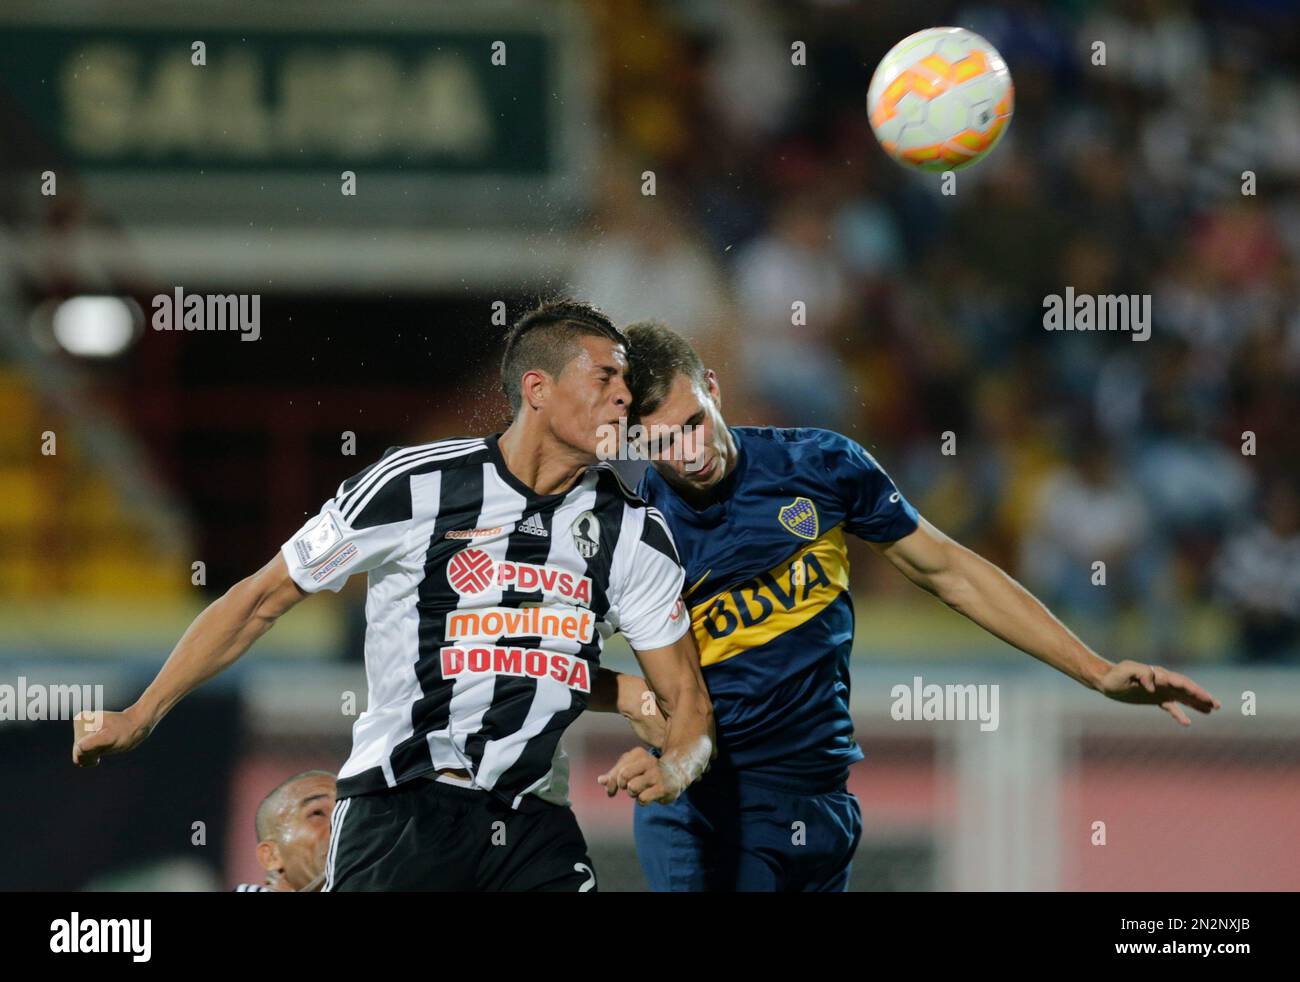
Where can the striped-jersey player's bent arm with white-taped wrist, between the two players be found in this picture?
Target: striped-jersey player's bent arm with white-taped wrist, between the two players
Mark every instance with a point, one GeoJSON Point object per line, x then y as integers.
{"type": "Point", "coordinates": [688, 746]}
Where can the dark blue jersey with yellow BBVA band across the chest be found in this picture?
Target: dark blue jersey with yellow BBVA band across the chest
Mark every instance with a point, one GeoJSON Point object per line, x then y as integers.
{"type": "Point", "coordinates": [768, 587]}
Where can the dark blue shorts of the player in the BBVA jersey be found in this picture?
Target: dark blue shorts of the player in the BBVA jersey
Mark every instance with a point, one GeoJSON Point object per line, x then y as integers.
{"type": "Point", "coordinates": [729, 836]}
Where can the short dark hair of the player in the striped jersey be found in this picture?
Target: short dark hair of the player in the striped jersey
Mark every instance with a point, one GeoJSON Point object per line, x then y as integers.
{"type": "Point", "coordinates": [547, 340]}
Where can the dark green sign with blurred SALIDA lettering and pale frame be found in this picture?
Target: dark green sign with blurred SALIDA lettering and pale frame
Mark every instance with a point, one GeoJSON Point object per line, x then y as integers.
{"type": "Point", "coordinates": [226, 113]}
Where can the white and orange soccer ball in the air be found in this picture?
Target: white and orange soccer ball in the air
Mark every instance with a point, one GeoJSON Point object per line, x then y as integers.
{"type": "Point", "coordinates": [941, 100]}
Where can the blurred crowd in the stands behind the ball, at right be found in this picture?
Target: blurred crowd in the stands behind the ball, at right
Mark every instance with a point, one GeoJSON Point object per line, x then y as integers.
{"type": "Point", "coordinates": [1172, 170]}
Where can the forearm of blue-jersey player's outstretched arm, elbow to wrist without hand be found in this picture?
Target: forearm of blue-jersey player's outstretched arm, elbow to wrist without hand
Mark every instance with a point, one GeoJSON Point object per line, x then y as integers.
{"type": "Point", "coordinates": [989, 596]}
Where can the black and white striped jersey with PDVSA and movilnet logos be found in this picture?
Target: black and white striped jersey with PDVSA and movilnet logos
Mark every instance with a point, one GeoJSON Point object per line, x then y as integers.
{"type": "Point", "coordinates": [487, 609]}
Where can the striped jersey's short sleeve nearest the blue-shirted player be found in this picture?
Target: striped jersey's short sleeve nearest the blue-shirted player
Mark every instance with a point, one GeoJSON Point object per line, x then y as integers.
{"type": "Point", "coordinates": [652, 613]}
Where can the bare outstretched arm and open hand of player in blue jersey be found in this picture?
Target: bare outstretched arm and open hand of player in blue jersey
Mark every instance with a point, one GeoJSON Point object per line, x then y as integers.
{"type": "Point", "coordinates": [985, 594]}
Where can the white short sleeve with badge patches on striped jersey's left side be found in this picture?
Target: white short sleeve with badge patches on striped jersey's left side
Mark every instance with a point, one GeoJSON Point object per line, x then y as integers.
{"type": "Point", "coordinates": [363, 527]}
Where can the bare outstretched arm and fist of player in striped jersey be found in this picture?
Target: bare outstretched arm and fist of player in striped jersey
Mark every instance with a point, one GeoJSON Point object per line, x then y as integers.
{"type": "Point", "coordinates": [223, 633]}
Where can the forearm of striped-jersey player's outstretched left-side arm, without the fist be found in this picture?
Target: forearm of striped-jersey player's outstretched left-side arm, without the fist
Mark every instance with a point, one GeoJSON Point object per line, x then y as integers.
{"type": "Point", "coordinates": [216, 639]}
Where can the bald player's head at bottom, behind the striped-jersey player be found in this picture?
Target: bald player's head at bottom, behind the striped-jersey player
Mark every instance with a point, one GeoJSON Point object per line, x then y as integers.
{"type": "Point", "coordinates": [293, 830]}
